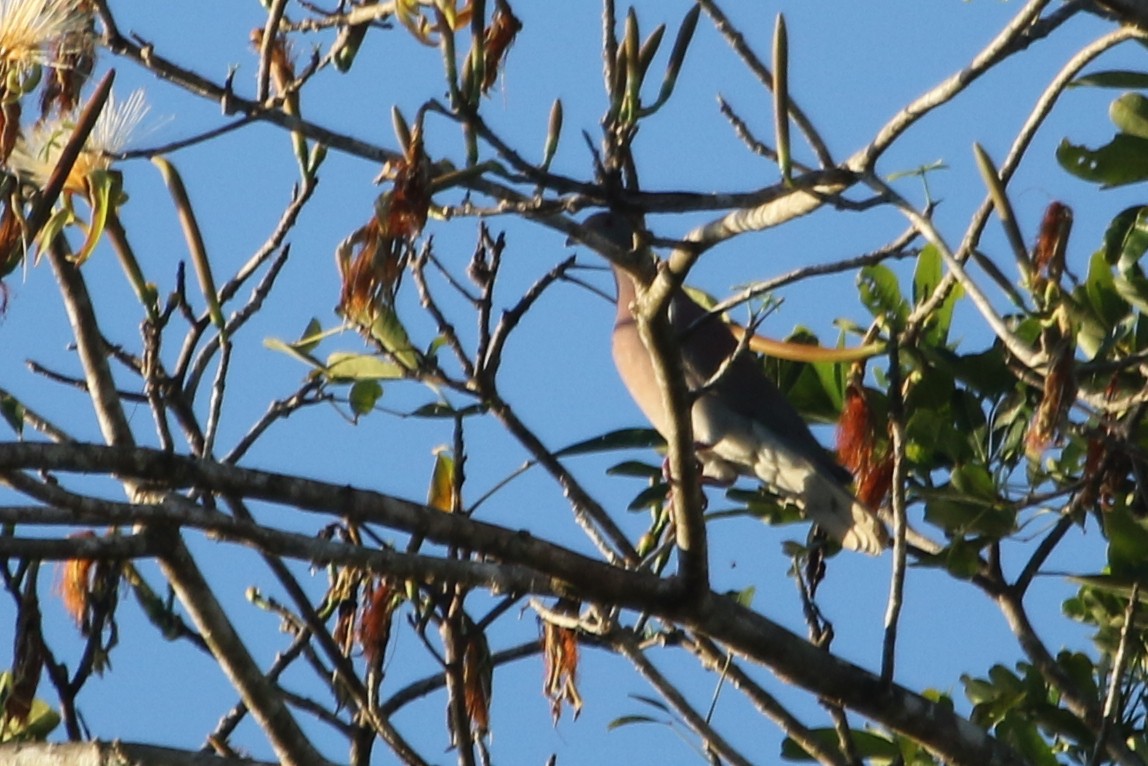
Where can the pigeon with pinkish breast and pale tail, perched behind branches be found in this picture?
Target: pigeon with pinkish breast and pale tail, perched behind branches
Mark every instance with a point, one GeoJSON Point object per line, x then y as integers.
{"type": "Point", "coordinates": [743, 425]}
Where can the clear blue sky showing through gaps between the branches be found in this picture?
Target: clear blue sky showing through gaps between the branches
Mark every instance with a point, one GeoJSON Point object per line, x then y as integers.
{"type": "Point", "coordinates": [852, 68]}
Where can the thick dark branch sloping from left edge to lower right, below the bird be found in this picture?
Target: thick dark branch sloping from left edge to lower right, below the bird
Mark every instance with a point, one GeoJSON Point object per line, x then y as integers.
{"type": "Point", "coordinates": [556, 570]}
